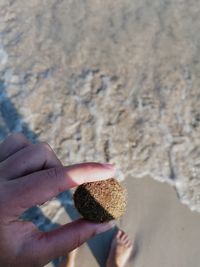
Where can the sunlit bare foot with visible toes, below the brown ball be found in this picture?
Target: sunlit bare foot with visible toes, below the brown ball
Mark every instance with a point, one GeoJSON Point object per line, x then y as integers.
{"type": "Point", "coordinates": [120, 250]}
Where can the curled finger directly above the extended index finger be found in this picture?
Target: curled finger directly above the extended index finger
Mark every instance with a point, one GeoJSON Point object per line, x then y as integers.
{"type": "Point", "coordinates": [31, 158]}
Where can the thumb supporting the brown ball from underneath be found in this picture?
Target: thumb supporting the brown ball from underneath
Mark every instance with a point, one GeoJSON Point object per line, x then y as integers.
{"type": "Point", "coordinates": [68, 237]}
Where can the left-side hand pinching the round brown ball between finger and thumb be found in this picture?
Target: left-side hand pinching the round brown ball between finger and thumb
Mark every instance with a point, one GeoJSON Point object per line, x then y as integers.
{"type": "Point", "coordinates": [31, 174]}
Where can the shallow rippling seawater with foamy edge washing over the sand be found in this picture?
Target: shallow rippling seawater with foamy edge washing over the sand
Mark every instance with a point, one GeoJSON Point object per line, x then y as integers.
{"type": "Point", "coordinates": [110, 81]}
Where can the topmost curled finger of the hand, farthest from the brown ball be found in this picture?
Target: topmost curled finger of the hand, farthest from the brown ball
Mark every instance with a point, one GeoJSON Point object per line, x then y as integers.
{"type": "Point", "coordinates": [12, 144]}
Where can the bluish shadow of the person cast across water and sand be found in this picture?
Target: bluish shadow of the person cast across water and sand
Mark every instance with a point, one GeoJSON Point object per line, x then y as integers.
{"type": "Point", "coordinates": [11, 121]}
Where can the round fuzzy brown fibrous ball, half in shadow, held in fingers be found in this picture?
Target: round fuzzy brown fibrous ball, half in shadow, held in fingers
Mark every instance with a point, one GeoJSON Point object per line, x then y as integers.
{"type": "Point", "coordinates": [101, 201]}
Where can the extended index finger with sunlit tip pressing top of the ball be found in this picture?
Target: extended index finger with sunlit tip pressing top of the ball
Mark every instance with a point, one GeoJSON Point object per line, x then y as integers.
{"type": "Point", "coordinates": [41, 186]}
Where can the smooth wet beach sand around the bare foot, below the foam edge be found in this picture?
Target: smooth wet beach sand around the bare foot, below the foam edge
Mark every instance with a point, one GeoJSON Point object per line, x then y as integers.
{"type": "Point", "coordinates": [165, 232]}
